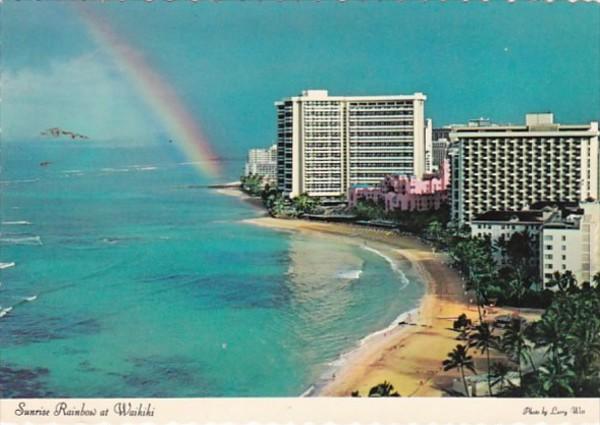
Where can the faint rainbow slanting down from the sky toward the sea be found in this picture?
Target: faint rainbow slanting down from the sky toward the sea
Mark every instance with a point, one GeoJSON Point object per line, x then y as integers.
{"type": "Point", "coordinates": [156, 92]}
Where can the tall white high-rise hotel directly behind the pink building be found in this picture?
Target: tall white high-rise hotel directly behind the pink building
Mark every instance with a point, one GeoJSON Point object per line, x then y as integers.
{"type": "Point", "coordinates": [326, 144]}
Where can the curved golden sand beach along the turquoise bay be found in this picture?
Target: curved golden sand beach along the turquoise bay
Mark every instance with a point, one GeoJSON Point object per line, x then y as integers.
{"type": "Point", "coordinates": [408, 355]}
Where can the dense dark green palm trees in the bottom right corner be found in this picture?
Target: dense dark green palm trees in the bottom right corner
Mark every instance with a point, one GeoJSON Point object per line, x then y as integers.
{"type": "Point", "coordinates": [565, 343]}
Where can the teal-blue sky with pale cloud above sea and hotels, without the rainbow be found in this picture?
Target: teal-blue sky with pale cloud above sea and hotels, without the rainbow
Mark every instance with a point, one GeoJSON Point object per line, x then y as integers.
{"type": "Point", "coordinates": [228, 62]}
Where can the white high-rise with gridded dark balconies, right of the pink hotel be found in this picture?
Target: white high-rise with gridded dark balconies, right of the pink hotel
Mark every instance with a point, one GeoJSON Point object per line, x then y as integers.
{"type": "Point", "coordinates": [509, 167]}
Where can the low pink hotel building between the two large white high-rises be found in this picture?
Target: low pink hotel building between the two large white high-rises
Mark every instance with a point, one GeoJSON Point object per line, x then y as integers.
{"type": "Point", "coordinates": [407, 193]}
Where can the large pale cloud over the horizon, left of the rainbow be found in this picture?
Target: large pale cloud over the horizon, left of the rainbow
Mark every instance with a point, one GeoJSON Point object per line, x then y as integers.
{"type": "Point", "coordinates": [83, 94]}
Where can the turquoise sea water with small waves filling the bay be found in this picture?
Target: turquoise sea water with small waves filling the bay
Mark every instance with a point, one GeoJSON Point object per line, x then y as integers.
{"type": "Point", "coordinates": [132, 281]}
